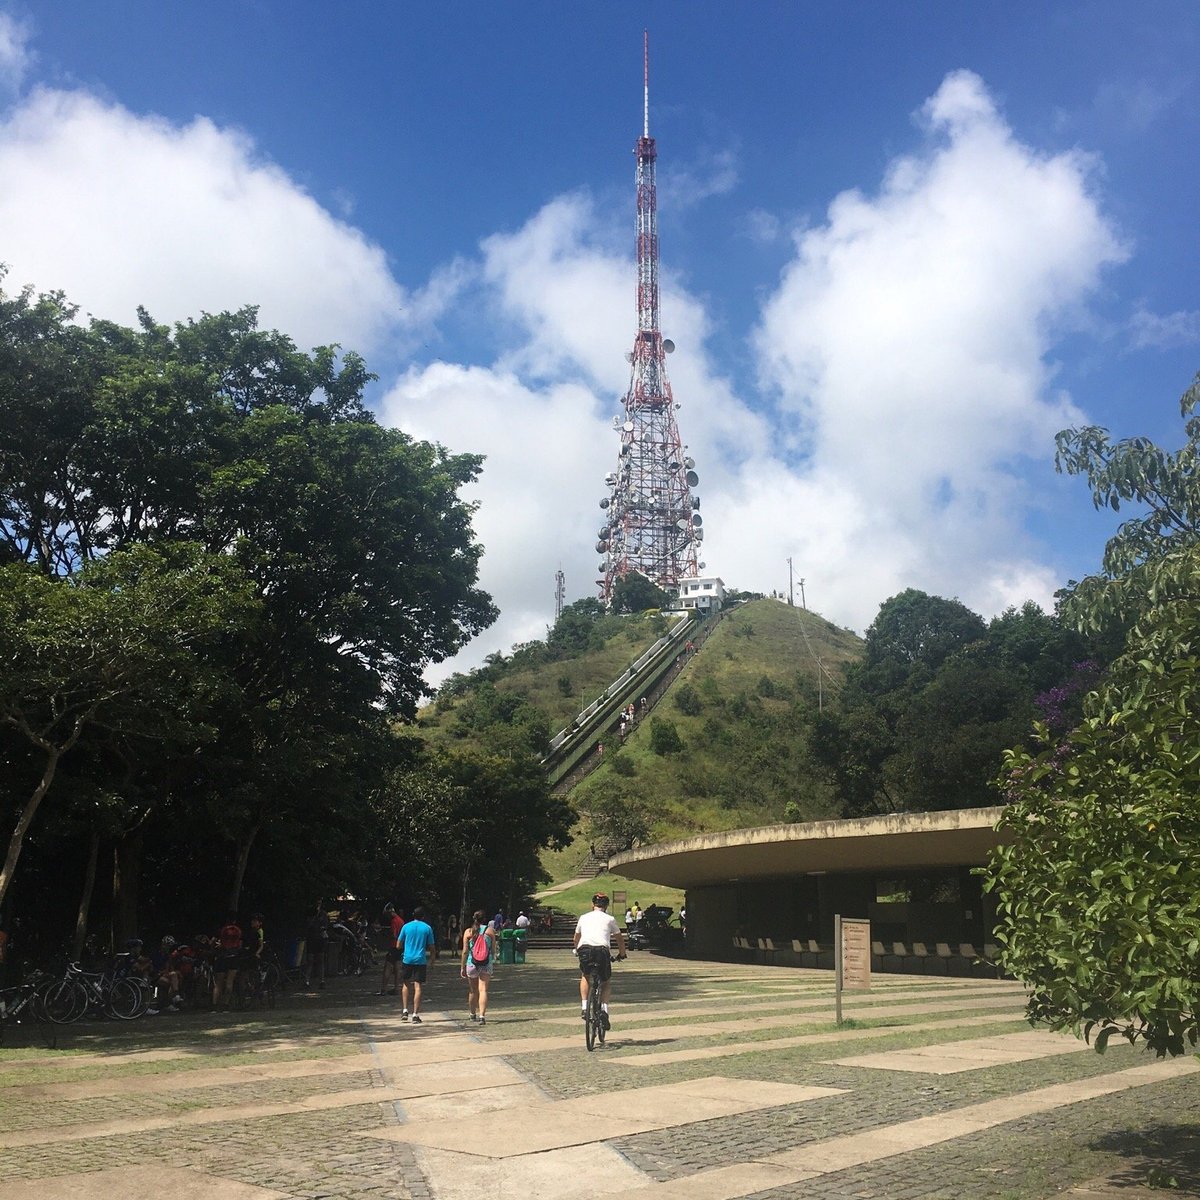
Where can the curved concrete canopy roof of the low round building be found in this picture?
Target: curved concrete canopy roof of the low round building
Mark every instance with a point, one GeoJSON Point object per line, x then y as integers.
{"type": "Point", "coordinates": [907, 841]}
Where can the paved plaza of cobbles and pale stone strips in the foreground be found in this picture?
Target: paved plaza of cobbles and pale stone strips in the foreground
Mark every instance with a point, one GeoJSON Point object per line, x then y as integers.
{"type": "Point", "coordinates": [718, 1082]}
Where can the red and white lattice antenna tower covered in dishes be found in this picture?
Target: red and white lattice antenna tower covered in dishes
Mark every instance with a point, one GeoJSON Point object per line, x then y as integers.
{"type": "Point", "coordinates": [651, 526]}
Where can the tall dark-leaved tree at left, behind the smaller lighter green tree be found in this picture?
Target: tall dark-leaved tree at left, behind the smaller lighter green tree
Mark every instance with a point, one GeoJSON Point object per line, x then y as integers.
{"type": "Point", "coordinates": [355, 538]}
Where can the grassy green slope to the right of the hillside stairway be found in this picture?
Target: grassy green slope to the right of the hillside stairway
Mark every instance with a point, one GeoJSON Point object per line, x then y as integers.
{"type": "Point", "coordinates": [728, 746]}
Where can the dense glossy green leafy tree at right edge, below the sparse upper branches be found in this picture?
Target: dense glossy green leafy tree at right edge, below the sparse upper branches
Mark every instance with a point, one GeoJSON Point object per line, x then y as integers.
{"type": "Point", "coordinates": [1099, 886]}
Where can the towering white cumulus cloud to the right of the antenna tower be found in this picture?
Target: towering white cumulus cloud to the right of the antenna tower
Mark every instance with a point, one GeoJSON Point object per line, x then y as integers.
{"type": "Point", "coordinates": [909, 337]}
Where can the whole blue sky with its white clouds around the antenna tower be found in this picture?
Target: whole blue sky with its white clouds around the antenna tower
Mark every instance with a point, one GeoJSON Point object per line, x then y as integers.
{"type": "Point", "coordinates": [902, 247]}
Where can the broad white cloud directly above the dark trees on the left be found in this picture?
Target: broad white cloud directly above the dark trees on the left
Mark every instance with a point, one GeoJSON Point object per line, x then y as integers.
{"type": "Point", "coordinates": [118, 211]}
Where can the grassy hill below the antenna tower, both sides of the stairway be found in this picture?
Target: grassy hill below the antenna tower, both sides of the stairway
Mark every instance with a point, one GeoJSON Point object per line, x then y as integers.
{"type": "Point", "coordinates": [725, 747]}
